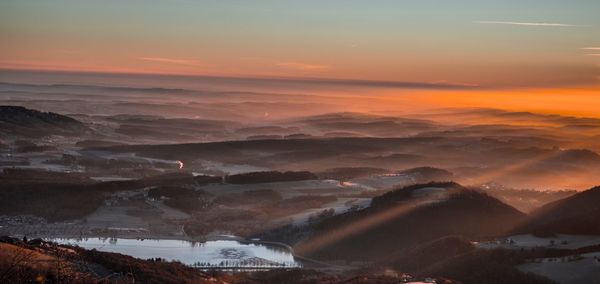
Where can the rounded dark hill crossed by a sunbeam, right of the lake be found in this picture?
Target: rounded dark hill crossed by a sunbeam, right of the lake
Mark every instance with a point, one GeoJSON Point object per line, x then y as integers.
{"type": "Point", "coordinates": [408, 217]}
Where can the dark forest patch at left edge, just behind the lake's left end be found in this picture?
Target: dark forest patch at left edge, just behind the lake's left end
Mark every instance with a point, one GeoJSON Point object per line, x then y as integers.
{"type": "Point", "coordinates": [70, 196]}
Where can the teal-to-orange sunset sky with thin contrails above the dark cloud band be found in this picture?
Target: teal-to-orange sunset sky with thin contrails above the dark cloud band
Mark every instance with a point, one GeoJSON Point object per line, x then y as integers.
{"type": "Point", "coordinates": [533, 44]}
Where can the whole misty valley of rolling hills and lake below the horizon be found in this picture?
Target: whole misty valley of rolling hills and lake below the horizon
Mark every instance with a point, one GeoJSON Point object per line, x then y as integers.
{"type": "Point", "coordinates": [324, 195]}
